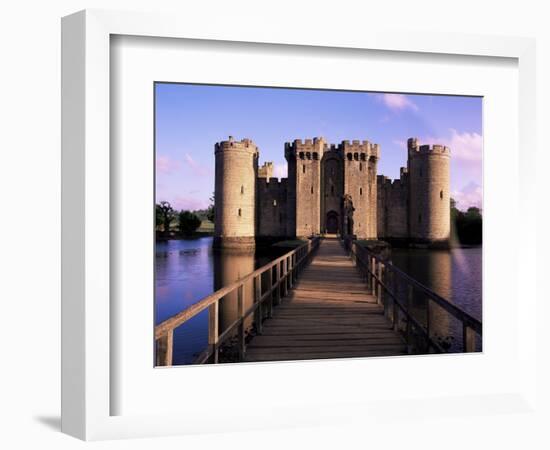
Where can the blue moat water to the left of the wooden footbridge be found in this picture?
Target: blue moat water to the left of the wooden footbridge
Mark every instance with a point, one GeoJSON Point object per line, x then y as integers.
{"type": "Point", "coordinates": [189, 270]}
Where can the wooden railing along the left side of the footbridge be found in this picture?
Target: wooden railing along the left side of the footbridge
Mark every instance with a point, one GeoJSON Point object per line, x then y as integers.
{"type": "Point", "coordinates": [281, 274]}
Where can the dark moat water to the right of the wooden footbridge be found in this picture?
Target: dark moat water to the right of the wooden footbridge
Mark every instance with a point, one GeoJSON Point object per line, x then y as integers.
{"type": "Point", "coordinates": [455, 275]}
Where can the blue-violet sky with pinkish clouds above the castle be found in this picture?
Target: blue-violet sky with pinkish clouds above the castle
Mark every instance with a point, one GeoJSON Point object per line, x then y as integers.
{"type": "Point", "coordinates": [190, 119]}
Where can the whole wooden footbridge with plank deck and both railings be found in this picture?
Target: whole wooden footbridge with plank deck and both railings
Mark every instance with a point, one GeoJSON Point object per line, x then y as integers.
{"type": "Point", "coordinates": [325, 299]}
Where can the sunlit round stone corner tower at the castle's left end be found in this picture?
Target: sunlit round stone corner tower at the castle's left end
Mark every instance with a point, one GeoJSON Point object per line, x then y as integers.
{"type": "Point", "coordinates": [235, 194]}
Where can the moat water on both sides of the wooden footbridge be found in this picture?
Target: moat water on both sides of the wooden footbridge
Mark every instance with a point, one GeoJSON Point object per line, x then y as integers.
{"type": "Point", "coordinates": [189, 270]}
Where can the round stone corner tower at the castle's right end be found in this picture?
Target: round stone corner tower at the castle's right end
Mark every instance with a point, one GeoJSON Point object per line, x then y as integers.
{"type": "Point", "coordinates": [429, 193]}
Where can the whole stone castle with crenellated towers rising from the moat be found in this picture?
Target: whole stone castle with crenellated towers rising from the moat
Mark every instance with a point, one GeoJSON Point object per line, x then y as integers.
{"type": "Point", "coordinates": [330, 189]}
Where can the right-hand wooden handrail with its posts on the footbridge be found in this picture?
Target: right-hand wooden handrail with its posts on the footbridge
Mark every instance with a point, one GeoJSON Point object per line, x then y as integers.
{"type": "Point", "coordinates": [377, 266]}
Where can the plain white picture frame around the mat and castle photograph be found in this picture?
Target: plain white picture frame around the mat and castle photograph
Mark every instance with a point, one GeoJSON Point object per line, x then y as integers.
{"type": "Point", "coordinates": [87, 319]}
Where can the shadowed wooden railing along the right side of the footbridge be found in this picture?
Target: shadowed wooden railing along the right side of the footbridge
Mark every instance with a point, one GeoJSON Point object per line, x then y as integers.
{"type": "Point", "coordinates": [395, 290]}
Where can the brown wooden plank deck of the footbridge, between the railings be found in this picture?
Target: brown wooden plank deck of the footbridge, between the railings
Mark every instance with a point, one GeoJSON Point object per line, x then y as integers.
{"type": "Point", "coordinates": [329, 314]}
